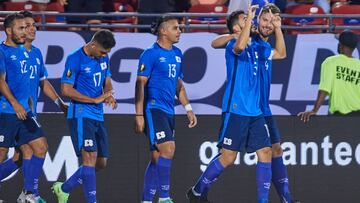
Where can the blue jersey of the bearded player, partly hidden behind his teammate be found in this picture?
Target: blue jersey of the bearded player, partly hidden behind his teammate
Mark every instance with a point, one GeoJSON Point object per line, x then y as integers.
{"type": "Point", "coordinates": [265, 67]}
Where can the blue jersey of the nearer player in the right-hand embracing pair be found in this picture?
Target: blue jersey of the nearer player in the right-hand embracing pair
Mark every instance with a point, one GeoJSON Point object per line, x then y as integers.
{"type": "Point", "coordinates": [242, 94]}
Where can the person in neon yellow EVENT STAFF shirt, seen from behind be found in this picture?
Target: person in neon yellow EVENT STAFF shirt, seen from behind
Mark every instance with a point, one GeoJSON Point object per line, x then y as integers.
{"type": "Point", "coordinates": [339, 79]}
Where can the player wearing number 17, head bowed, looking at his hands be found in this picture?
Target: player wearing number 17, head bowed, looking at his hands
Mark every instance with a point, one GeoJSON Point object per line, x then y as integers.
{"type": "Point", "coordinates": [87, 82]}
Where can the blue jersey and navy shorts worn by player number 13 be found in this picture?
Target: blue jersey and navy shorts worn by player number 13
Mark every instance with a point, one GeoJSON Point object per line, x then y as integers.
{"type": "Point", "coordinates": [163, 69]}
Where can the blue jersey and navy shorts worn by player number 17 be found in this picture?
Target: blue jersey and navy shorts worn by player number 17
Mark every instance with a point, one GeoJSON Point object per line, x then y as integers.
{"type": "Point", "coordinates": [86, 121]}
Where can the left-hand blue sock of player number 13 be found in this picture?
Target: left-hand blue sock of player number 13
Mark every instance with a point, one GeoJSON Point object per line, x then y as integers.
{"type": "Point", "coordinates": [150, 182]}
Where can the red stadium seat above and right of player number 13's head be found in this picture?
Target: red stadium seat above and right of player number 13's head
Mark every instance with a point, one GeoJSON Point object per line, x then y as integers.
{"type": "Point", "coordinates": [208, 20]}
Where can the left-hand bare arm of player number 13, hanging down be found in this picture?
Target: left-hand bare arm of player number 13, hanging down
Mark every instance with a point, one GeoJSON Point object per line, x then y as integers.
{"type": "Point", "coordinates": [139, 103]}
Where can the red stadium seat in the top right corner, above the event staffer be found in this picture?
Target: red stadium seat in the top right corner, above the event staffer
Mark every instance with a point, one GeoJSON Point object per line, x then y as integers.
{"type": "Point", "coordinates": [341, 8]}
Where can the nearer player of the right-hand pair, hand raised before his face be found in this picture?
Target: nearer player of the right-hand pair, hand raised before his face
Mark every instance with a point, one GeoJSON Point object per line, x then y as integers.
{"type": "Point", "coordinates": [244, 127]}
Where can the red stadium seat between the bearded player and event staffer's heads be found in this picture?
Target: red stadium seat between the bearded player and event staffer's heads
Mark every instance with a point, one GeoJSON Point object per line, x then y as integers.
{"type": "Point", "coordinates": [305, 9]}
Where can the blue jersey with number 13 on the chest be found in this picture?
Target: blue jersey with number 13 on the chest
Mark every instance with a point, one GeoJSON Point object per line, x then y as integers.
{"type": "Point", "coordinates": [163, 69]}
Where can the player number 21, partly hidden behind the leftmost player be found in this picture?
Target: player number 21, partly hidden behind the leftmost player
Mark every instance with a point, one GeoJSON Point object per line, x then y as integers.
{"type": "Point", "coordinates": [38, 77]}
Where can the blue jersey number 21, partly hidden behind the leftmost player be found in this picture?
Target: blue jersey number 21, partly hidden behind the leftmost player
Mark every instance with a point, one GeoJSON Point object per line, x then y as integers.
{"type": "Point", "coordinates": [38, 73]}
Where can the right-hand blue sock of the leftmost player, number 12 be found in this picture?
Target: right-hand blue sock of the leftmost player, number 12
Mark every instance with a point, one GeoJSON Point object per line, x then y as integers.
{"type": "Point", "coordinates": [33, 173]}
